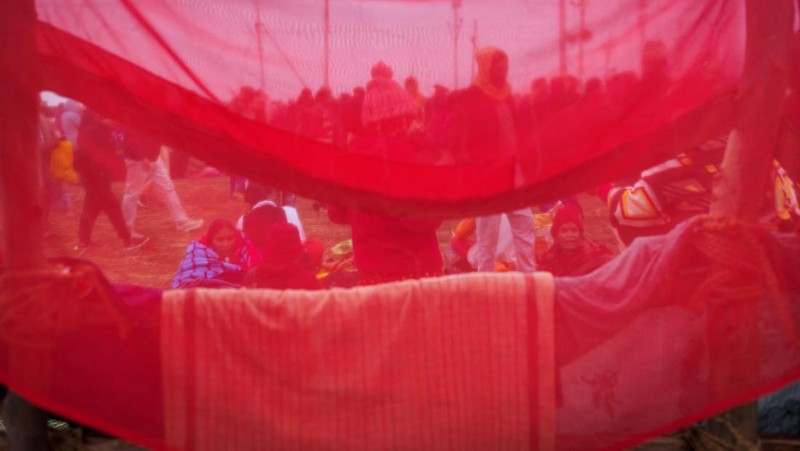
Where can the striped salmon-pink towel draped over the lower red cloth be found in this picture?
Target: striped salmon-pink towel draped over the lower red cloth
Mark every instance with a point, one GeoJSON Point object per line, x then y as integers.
{"type": "Point", "coordinates": [430, 364]}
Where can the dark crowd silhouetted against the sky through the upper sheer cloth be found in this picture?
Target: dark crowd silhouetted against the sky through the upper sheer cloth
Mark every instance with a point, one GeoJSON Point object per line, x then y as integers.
{"type": "Point", "coordinates": [549, 105]}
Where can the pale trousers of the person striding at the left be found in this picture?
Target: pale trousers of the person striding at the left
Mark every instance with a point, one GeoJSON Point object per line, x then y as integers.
{"type": "Point", "coordinates": [138, 172]}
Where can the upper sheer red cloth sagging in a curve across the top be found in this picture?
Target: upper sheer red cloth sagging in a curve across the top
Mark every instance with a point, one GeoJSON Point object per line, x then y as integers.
{"type": "Point", "coordinates": [597, 91]}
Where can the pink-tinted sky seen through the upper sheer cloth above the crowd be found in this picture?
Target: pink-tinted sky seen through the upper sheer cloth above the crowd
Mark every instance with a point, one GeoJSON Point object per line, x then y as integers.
{"type": "Point", "coordinates": [218, 42]}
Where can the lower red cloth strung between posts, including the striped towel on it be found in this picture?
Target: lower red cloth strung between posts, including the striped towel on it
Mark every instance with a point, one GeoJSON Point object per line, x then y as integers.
{"type": "Point", "coordinates": [643, 346]}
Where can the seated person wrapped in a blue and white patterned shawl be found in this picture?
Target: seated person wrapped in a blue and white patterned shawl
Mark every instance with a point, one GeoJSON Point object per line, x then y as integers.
{"type": "Point", "coordinates": [220, 258]}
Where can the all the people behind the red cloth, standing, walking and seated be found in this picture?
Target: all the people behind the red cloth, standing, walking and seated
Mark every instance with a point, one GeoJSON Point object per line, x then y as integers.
{"type": "Point", "coordinates": [268, 246]}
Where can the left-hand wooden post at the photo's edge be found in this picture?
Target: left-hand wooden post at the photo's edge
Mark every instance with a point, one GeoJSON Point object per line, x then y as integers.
{"type": "Point", "coordinates": [21, 178]}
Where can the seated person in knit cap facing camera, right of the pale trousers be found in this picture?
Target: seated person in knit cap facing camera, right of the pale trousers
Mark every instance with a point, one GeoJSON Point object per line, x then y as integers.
{"type": "Point", "coordinates": [572, 254]}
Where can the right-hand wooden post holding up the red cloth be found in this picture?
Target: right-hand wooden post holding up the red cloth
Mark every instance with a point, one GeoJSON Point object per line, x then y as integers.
{"type": "Point", "coordinates": [748, 158]}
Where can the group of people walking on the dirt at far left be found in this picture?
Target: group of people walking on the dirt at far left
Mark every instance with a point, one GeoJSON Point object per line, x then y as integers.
{"type": "Point", "coordinates": [79, 145]}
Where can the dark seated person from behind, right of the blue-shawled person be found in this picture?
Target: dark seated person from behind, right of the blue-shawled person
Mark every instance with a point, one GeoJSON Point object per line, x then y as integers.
{"type": "Point", "coordinates": [285, 263]}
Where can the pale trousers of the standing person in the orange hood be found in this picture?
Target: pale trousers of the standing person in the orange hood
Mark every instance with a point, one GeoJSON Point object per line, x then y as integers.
{"type": "Point", "coordinates": [487, 232]}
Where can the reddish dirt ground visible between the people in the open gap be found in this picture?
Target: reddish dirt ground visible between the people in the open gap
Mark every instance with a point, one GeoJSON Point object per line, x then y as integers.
{"type": "Point", "coordinates": [154, 264]}
